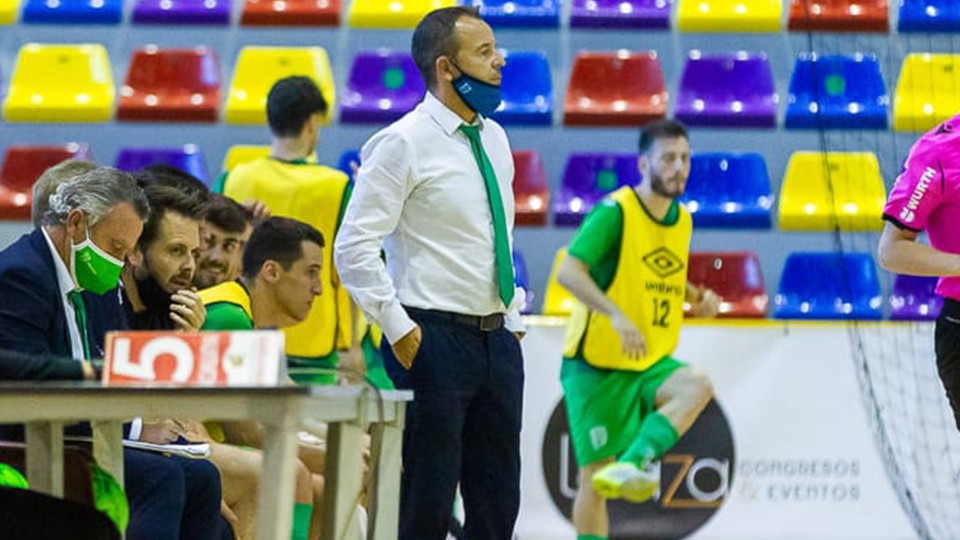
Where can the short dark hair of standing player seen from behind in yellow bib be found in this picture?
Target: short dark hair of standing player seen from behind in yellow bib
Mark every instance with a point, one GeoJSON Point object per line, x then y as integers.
{"type": "Point", "coordinates": [291, 102]}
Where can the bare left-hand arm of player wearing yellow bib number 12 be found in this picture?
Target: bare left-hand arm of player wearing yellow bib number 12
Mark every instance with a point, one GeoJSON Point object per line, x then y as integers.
{"type": "Point", "coordinates": [574, 274]}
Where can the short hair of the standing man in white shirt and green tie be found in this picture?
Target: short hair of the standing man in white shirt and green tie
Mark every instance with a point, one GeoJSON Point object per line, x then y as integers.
{"type": "Point", "coordinates": [435, 37]}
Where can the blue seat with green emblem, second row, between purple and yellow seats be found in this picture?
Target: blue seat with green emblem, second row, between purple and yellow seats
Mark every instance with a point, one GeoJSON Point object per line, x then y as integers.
{"type": "Point", "coordinates": [836, 92]}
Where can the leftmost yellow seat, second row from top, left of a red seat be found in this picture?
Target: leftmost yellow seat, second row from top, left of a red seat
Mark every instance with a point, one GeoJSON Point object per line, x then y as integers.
{"type": "Point", "coordinates": [60, 83]}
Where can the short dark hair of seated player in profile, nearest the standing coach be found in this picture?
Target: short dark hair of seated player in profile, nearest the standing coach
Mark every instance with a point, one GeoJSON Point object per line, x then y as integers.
{"type": "Point", "coordinates": [277, 239]}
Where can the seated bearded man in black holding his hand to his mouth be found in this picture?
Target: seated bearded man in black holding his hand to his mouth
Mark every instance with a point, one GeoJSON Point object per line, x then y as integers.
{"type": "Point", "coordinates": [158, 279]}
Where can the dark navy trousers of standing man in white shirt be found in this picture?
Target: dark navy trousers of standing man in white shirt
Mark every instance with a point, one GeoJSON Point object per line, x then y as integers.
{"type": "Point", "coordinates": [463, 426]}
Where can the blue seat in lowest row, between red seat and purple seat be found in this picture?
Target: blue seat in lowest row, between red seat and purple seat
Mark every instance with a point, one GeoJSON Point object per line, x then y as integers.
{"type": "Point", "coordinates": [828, 286]}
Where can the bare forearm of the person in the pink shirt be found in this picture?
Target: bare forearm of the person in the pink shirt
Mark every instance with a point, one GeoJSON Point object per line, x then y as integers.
{"type": "Point", "coordinates": [899, 252]}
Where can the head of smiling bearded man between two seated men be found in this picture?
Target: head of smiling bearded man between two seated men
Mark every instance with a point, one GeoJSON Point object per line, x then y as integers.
{"type": "Point", "coordinates": [224, 230]}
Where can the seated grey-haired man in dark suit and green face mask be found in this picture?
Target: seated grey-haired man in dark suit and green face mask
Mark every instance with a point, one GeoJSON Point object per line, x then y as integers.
{"type": "Point", "coordinates": [93, 222]}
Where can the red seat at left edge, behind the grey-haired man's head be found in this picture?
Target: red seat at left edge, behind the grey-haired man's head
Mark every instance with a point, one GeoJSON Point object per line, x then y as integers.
{"type": "Point", "coordinates": [22, 165]}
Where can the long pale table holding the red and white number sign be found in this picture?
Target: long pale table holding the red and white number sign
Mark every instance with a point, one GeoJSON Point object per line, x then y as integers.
{"type": "Point", "coordinates": [46, 407]}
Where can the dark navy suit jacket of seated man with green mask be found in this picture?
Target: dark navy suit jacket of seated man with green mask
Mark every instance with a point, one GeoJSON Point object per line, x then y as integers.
{"type": "Point", "coordinates": [32, 318]}
